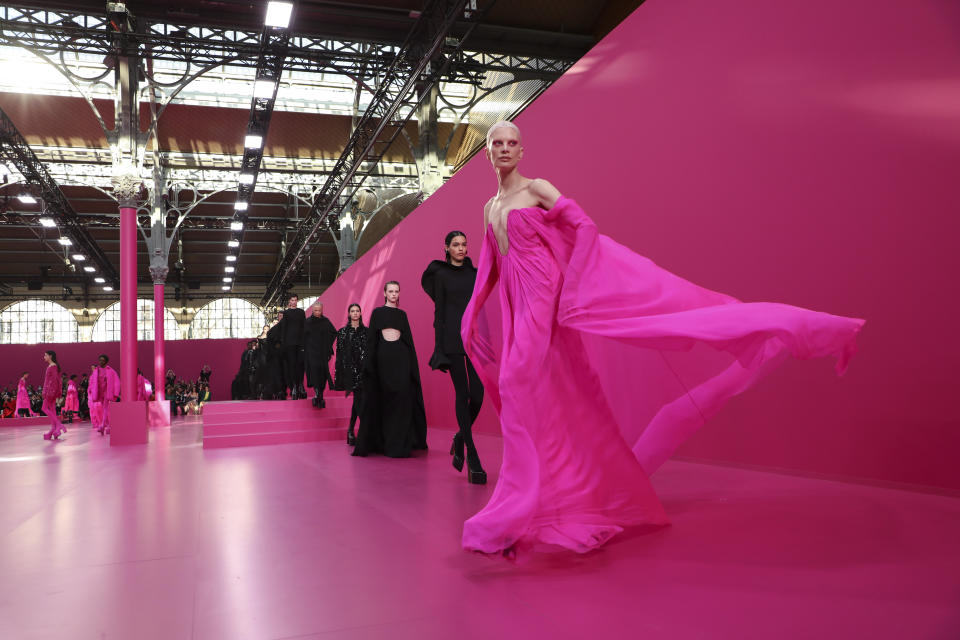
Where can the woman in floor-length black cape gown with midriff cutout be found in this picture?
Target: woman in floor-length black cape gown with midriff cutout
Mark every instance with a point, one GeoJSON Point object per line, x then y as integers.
{"type": "Point", "coordinates": [393, 420]}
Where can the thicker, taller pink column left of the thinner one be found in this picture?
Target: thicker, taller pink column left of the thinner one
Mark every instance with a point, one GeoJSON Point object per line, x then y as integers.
{"type": "Point", "coordinates": [128, 303]}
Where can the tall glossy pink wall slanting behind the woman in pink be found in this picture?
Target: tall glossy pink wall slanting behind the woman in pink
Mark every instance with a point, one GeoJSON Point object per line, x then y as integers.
{"type": "Point", "coordinates": [801, 153]}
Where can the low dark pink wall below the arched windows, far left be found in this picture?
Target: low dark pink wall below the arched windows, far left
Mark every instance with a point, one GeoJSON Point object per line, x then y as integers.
{"type": "Point", "coordinates": [185, 357]}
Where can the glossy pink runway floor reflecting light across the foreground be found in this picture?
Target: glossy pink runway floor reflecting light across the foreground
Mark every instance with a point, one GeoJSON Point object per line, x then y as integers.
{"type": "Point", "coordinates": [172, 541]}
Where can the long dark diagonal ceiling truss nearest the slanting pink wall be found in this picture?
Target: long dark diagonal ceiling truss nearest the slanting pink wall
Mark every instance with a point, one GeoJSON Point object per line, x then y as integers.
{"type": "Point", "coordinates": [420, 64]}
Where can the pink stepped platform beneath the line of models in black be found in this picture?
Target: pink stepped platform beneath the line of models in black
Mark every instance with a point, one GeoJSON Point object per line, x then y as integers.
{"type": "Point", "coordinates": [243, 423]}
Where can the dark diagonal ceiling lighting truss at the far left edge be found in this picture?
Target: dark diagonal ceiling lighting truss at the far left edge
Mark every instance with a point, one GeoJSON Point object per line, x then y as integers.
{"type": "Point", "coordinates": [15, 149]}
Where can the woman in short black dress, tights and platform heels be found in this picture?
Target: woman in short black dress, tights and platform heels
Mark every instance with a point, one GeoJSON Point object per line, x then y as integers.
{"type": "Point", "coordinates": [450, 284]}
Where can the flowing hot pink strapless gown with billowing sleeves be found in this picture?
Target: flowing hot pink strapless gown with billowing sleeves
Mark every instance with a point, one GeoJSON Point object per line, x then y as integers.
{"type": "Point", "coordinates": [576, 305]}
